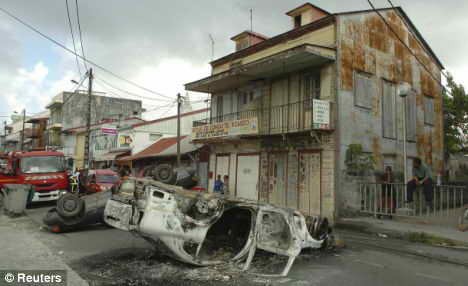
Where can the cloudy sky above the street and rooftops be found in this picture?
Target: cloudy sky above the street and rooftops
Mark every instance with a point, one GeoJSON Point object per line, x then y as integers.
{"type": "Point", "coordinates": [163, 44]}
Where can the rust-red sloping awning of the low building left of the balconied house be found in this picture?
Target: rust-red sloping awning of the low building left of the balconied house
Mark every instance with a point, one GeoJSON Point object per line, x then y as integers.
{"type": "Point", "coordinates": [164, 147]}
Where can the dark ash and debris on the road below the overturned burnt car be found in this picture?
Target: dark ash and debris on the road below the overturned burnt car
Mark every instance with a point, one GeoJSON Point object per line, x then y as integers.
{"type": "Point", "coordinates": [147, 267]}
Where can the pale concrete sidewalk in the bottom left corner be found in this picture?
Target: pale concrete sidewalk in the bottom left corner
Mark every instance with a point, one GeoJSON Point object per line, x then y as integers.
{"type": "Point", "coordinates": [21, 250]}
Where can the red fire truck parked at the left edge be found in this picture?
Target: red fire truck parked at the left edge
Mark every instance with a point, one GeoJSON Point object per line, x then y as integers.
{"type": "Point", "coordinates": [43, 169]}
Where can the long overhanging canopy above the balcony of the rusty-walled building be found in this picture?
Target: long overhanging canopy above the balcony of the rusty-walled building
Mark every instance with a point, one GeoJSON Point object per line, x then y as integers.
{"type": "Point", "coordinates": [291, 60]}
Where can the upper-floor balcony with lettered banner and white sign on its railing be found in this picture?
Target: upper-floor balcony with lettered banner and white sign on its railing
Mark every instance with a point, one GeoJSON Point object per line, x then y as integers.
{"type": "Point", "coordinates": [303, 116]}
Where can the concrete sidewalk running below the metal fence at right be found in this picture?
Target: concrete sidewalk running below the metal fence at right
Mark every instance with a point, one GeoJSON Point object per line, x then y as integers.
{"type": "Point", "coordinates": [399, 229]}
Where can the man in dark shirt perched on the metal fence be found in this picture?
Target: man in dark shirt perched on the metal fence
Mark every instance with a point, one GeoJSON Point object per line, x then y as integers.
{"type": "Point", "coordinates": [422, 177]}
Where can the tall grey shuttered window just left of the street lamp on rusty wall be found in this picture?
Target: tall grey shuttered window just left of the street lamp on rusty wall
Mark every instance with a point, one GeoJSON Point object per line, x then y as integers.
{"type": "Point", "coordinates": [388, 109]}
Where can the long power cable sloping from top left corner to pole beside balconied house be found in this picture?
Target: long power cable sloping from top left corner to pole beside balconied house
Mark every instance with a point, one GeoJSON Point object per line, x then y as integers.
{"type": "Point", "coordinates": [81, 57]}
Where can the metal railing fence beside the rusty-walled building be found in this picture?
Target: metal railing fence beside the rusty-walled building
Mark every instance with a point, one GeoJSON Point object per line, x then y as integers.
{"type": "Point", "coordinates": [391, 200]}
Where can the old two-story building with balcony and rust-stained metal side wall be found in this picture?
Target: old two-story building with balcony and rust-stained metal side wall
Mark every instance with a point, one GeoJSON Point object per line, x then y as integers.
{"type": "Point", "coordinates": [291, 113]}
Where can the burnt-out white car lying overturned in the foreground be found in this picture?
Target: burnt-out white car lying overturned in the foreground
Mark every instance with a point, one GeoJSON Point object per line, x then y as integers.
{"type": "Point", "coordinates": [206, 229]}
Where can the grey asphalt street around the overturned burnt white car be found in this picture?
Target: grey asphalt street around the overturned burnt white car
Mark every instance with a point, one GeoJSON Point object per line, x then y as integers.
{"type": "Point", "coordinates": [106, 256]}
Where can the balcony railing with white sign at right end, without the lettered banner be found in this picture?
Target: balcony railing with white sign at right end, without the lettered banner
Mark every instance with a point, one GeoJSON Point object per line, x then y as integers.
{"type": "Point", "coordinates": [287, 118]}
